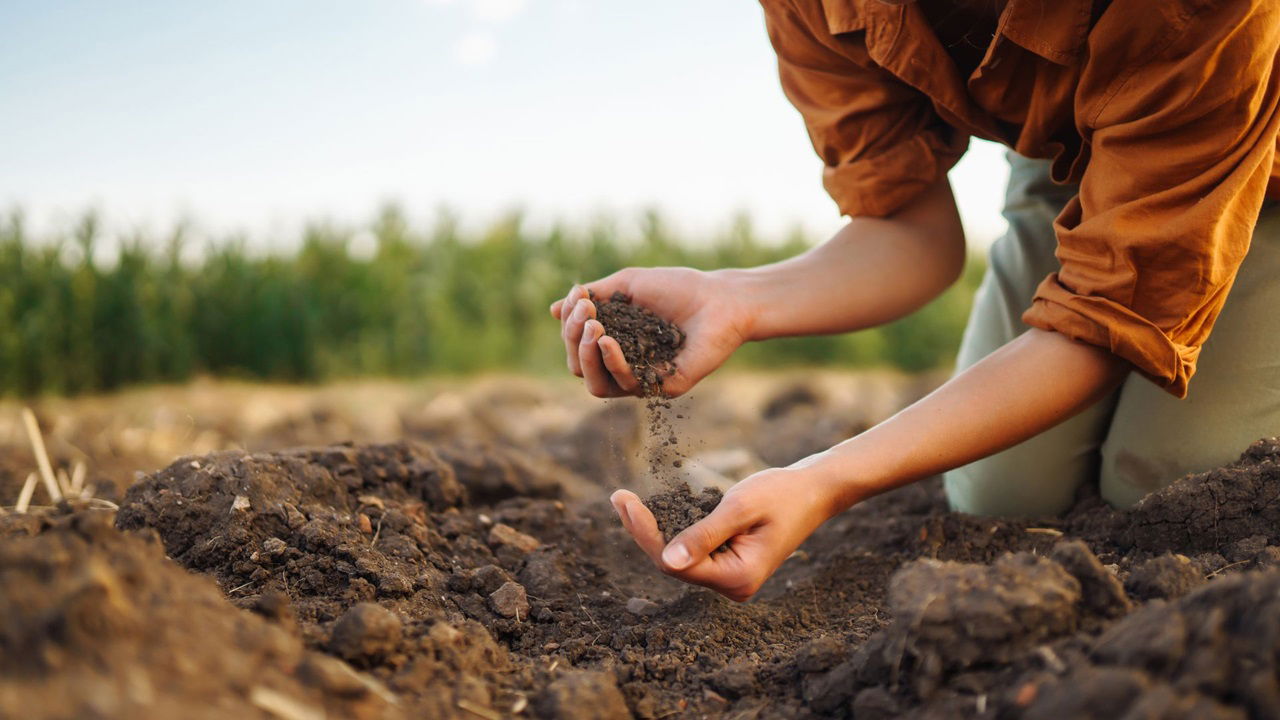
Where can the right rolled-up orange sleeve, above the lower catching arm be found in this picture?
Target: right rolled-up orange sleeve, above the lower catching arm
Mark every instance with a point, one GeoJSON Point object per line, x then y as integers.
{"type": "Point", "coordinates": [1183, 139]}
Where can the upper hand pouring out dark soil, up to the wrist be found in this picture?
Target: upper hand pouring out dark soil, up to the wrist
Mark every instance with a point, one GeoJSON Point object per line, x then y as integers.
{"type": "Point", "coordinates": [714, 316]}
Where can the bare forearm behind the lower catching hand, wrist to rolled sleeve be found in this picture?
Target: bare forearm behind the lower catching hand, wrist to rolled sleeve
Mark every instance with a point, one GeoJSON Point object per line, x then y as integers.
{"type": "Point", "coordinates": [1031, 385]}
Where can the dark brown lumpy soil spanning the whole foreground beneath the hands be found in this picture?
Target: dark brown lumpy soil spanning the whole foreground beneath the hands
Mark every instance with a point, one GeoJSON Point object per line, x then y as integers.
{"type": "Point", "coordinates": [445, 580]}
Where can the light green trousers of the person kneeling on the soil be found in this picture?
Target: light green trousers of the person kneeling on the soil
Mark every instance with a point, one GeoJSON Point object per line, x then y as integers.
{"type": "Point", "coordinates": [1140, 439]}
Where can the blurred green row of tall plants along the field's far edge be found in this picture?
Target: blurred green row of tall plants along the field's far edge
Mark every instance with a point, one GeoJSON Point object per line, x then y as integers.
{"type": "Point", "coordinates": [419, 302]}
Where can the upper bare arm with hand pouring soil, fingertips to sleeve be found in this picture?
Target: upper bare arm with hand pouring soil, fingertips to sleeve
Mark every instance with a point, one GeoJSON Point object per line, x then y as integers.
{"type": "Point", "coordinates": [872, 272]}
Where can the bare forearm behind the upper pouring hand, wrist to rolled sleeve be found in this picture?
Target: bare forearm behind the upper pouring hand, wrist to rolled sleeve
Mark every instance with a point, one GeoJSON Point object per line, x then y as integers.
{"type": "Point", "coordinates": [872, 272]}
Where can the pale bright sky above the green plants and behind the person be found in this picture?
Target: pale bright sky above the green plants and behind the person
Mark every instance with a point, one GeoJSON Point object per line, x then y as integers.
{"type": "Point", "coordinates": [260, 116]}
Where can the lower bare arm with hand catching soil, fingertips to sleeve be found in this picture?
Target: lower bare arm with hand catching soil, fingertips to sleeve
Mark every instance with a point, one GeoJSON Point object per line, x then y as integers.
{"type": "Point", "coordinates": [1026, 388]}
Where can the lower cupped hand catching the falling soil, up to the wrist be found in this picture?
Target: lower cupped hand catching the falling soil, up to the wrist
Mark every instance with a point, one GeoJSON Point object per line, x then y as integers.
{"type": "Point", "coordinates": [764, 521]}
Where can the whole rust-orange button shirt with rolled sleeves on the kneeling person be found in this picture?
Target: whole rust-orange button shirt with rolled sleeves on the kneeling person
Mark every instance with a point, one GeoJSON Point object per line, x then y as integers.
{"type": "Point", "coordinates": [1165, 112]}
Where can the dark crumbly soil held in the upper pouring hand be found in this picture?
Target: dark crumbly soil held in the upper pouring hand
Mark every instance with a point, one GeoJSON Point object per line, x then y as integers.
{"type": "Point", "coordinates": [648, 343]}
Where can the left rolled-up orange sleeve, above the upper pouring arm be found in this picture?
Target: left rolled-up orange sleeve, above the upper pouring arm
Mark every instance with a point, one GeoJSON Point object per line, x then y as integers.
{"type": "Point", "coordinates": [880, 140]}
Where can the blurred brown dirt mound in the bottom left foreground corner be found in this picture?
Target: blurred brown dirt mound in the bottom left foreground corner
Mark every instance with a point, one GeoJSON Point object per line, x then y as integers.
{"type": "Point", "coordinates": [95, 623]}
